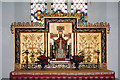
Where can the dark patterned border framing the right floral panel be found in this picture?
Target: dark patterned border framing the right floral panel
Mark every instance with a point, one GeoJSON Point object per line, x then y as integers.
{"type": "Point", "coordinates": [103, 32]}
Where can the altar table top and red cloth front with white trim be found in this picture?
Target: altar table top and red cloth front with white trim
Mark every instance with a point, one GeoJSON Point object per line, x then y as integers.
{"type": "Point", "coordinates": [63, 74]}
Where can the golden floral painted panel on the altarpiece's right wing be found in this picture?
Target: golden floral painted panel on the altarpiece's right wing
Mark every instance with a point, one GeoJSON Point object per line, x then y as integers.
{"type": "Point", "coordinates": [89, 43]}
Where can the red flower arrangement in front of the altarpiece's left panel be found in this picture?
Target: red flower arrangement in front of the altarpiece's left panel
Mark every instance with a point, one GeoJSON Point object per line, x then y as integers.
{"type": "Point", "coordinates": [43, 60]}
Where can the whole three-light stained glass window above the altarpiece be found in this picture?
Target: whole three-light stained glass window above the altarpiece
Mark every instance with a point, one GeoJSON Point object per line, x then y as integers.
{"type": "Point", "coordinates": [39, 9]}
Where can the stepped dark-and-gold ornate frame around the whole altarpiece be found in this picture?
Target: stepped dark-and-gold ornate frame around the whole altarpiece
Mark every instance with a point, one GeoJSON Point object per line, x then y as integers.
{"type": "Point", "coordinates": [101, 27]}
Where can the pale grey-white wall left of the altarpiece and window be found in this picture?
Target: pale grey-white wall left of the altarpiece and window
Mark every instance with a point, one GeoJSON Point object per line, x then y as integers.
{"type": "Point", "coordinates": [12, 11]}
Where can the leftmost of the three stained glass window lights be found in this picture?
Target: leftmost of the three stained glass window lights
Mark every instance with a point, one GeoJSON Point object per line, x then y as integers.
{"type": "Point", "coordinates": [38, 7]}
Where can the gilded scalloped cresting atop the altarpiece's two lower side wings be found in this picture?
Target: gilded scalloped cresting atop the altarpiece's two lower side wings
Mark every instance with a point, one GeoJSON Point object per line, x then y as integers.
{"type": "Point", "coordinates": [39, 25]}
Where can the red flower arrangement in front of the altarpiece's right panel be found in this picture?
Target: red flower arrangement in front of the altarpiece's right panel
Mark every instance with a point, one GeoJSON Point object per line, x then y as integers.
{"type": "Point", "coordinates": [77, 59]}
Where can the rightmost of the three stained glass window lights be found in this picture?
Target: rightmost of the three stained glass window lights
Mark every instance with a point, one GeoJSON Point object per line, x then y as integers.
{"type": "Point", "coordinates": [80, 6]}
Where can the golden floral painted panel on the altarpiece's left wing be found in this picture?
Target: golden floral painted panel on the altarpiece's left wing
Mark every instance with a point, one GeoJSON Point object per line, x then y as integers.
{"type": "Point", "coordinates": [34, 43]}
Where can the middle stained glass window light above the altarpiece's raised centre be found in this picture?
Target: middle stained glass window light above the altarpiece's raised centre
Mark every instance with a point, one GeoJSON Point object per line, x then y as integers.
{"type": "Point", "coordinates": [59, 5]}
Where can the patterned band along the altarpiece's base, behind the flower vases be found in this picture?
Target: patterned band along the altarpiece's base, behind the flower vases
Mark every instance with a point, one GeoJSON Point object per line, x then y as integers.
{"type": "Point", "coordinates": [59, 66]}
